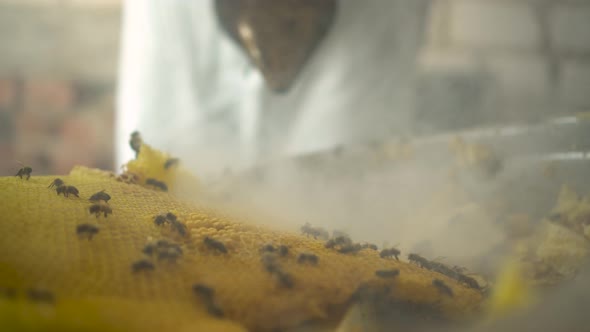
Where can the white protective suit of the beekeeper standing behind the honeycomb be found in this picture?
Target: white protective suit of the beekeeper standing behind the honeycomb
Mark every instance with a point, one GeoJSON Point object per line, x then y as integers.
{"type": "Point", "coordinates": [192, 92]}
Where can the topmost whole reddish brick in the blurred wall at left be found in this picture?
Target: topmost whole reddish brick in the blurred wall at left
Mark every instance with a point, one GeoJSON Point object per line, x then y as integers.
{"type": "Point", "coordinates": [48, 96]}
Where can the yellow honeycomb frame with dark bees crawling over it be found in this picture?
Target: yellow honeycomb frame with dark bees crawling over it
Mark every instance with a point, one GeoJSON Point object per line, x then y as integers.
{"type": "Point", "coordinates": [95, 288]}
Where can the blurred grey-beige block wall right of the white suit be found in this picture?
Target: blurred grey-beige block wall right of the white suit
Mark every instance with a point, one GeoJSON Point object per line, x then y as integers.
{"type": "Point", "coordinates": [523, 59]}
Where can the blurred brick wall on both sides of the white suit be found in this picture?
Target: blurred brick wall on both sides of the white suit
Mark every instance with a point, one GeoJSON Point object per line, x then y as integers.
{"type": "Point", "coordinates": [481, 61]}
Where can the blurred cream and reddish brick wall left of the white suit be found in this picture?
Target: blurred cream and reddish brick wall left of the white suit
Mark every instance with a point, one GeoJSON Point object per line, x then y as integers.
{"type": "Point", "coordinates": [58, 64]}
